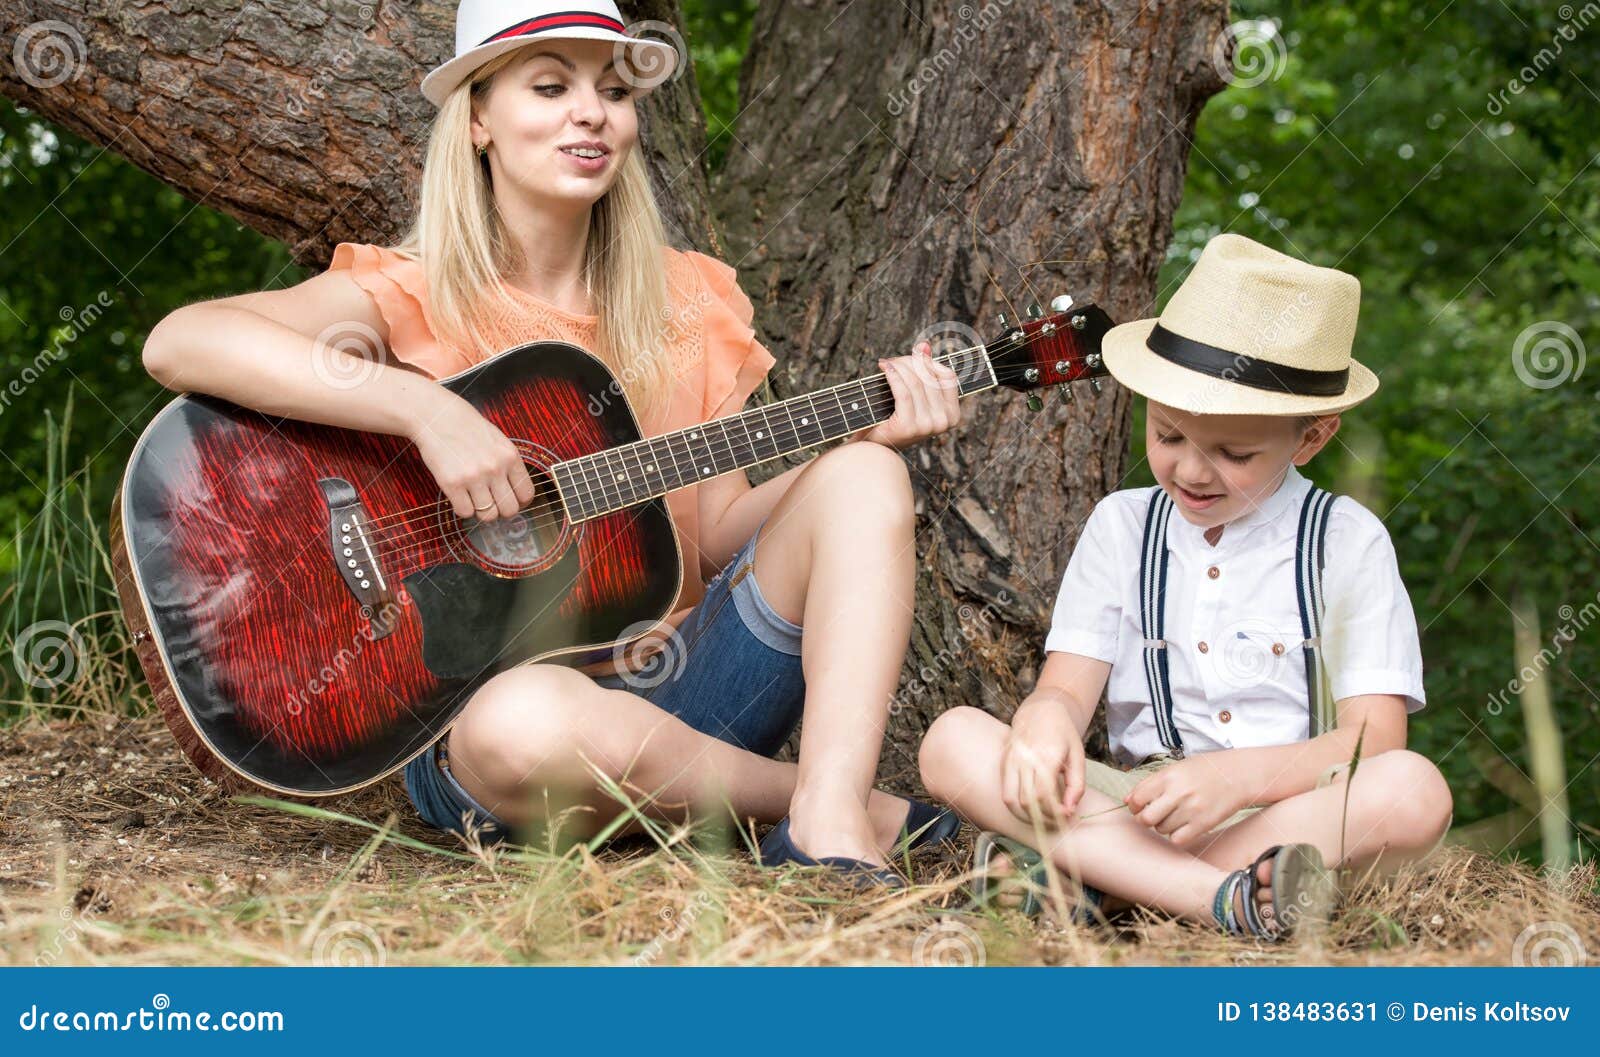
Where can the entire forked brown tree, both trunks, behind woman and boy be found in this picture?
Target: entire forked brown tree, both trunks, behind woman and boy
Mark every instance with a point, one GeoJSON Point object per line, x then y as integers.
{"type": "Point", "coordinates": [897, 166]}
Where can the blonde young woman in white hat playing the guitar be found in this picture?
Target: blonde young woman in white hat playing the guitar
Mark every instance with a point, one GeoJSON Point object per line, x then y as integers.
{"type": "Point", "coordinates": [537, 221]}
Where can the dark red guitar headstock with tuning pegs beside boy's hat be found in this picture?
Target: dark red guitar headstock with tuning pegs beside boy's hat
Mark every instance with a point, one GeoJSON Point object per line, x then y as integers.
{"type": "Point", "coordinates": [1050, 349]}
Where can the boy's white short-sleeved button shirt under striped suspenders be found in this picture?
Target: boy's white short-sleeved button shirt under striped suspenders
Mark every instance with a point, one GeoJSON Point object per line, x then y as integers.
{"type": "Point", "coordinates": [1233, 621]}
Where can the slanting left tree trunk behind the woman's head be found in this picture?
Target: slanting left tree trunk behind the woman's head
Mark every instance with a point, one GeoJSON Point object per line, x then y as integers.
{"type": "Point", "coordinates": [298, 118]}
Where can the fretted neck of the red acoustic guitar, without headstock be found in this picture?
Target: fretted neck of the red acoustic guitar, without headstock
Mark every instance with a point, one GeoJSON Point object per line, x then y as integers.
{"type": "Point", "coordinates": [623, 477]}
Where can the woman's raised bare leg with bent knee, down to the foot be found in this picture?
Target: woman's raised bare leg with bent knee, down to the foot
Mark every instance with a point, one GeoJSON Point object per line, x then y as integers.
{"type": "Point", "coordinates": [838, 557]}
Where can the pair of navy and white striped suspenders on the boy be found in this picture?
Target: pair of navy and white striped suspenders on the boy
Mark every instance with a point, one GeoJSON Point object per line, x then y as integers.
{"type": "Point", "coordinates": [1310, 559]}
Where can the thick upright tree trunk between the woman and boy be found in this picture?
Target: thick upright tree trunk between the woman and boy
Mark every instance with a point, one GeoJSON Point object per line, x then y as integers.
{"type": "Point", "coordinates": [905, 164]}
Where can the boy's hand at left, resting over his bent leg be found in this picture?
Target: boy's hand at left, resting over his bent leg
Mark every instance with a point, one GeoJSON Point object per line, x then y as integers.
{"type": "Point", "coordinates": [1042, 767]}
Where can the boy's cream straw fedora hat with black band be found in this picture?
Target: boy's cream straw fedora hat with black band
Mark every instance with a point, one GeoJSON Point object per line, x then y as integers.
{"type": "Point", "coordinates": [1250, 332]}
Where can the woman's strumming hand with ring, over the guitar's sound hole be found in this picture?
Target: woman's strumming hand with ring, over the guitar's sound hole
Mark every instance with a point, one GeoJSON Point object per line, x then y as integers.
{"type": "Point", "coordinates": [476, 466]}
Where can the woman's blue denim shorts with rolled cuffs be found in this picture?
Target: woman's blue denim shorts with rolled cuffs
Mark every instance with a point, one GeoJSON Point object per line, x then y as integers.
{"type": "Point", "coordinates": [735, 676]}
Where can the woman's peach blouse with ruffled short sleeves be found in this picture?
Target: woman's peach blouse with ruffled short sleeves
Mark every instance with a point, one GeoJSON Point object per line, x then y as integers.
{"type": "Point", "coordinates": [718, 359]}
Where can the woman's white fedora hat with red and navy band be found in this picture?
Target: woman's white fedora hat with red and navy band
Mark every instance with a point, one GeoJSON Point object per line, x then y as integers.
{"type": "Point", "coordinates": [487, 30]}
